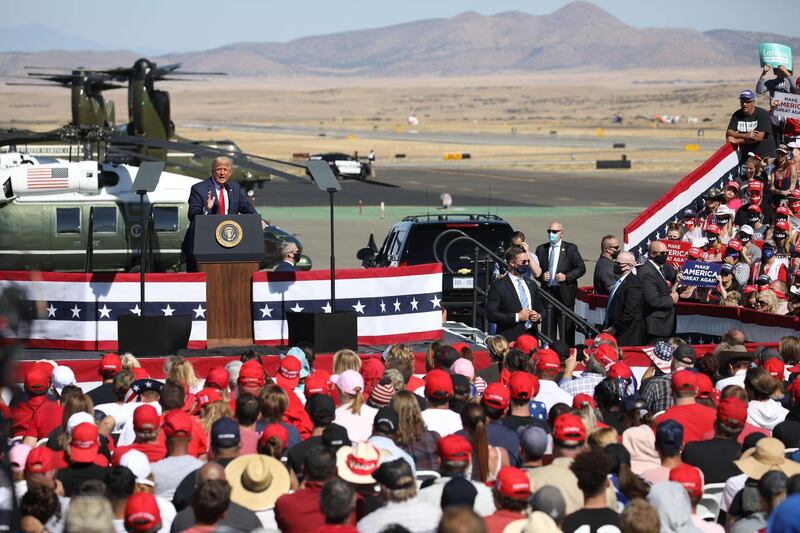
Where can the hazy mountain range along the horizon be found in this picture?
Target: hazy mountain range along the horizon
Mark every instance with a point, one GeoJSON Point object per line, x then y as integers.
{"type": "Point", "coordinates": [579, 35]}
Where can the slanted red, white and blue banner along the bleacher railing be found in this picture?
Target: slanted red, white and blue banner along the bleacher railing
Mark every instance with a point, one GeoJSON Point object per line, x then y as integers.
{"type": "Point", "coordinates": [688, 193]}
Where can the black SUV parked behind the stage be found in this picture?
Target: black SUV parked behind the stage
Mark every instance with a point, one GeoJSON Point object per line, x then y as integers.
{"type": "Point", "coordinates": [410, 242]}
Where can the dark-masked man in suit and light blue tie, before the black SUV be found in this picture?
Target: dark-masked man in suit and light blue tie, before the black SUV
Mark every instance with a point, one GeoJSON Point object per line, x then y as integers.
{"type": "Point", "coordinates": [513, 302]}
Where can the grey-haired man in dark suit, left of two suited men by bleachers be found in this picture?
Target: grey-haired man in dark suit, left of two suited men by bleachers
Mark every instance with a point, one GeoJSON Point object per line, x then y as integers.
{"type": "Point", "coordinates": [623, 317]}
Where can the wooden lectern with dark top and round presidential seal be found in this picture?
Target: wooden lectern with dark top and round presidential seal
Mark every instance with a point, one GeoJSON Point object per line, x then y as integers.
{"type": "Point", "coordinates": [228, 249]}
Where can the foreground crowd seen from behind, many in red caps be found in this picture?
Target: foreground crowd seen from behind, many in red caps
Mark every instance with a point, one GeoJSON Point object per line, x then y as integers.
{"type": "Point", "coordinates": [527, 443]}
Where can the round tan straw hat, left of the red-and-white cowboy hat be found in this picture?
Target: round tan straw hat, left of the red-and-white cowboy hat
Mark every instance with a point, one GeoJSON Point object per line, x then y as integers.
{"type": "Point", "coordinates": [257, 481]}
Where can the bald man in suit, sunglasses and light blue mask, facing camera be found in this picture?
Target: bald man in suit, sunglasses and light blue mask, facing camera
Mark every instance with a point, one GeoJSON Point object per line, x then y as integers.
{"type": "Point", "coordinates": [560, 279]}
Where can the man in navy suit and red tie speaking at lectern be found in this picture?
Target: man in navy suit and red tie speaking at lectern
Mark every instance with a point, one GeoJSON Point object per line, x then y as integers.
{"type": "Point", "coordinates": [216, 196]}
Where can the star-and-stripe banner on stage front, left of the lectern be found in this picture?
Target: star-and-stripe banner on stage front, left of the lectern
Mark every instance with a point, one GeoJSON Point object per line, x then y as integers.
{"type": "Point", "coordinates": [80, 311]}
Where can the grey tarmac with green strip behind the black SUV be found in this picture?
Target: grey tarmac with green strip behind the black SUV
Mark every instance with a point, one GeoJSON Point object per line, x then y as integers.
{"type": "Point", "coordinates": [589, 205]}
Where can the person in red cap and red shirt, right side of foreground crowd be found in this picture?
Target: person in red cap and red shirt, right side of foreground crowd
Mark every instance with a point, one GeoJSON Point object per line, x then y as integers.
{"type": "Point", "coordinates": [696, 419]}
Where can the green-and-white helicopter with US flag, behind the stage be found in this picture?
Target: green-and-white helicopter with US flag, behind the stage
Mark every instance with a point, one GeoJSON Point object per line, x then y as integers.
{"type": "Point", "coordinates": [82, 216]}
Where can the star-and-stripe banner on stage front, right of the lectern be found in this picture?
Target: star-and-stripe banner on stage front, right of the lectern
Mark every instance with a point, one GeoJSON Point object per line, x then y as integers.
{"type": "Point", "coordinates": [402, 304]}
